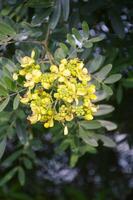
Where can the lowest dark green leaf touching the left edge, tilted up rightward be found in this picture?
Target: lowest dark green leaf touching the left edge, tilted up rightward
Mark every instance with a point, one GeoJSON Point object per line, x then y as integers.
{"type": "Point", "coordinates": [8, 176]}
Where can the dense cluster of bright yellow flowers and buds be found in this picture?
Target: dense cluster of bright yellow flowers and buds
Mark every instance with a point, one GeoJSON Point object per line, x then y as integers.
{"type": "Point", "coordinates": [63, 93]}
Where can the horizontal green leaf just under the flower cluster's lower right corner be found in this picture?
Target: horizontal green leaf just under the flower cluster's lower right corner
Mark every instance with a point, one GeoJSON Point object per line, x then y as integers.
{"type": "Point", "coordinates": [89, 125]}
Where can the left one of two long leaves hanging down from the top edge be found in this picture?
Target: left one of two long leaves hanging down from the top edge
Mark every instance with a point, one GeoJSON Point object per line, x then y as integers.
{"type": "Point", "coordinates": [56, 15]}
